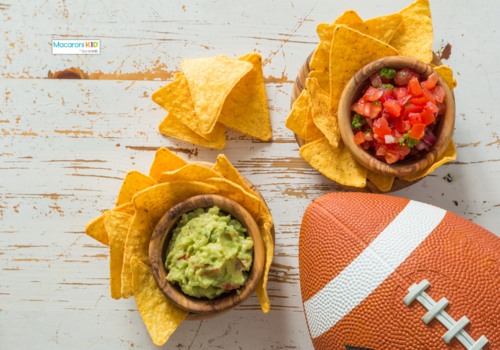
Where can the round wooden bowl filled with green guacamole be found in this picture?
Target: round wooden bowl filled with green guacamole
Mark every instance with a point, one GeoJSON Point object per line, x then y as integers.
{"type": "Point", "coordinates": [207, 254]}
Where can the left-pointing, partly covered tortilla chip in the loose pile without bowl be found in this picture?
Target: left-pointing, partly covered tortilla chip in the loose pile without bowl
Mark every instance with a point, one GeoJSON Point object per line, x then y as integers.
{"type": "Point", "coordinates": [176, 99]}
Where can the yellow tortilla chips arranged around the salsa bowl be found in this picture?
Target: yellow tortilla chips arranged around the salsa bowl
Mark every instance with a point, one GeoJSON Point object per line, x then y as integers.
{"type": "Point", "coordinates": [346, 45]}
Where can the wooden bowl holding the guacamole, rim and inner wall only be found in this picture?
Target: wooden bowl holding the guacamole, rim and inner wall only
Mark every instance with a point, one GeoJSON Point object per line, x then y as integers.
{"type": "Point", "coordinates": [159, 243]}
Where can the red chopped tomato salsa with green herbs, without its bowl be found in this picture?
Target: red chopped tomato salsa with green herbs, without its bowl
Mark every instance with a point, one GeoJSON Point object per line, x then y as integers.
{"type": "Point", "coordinates": [398, 114]}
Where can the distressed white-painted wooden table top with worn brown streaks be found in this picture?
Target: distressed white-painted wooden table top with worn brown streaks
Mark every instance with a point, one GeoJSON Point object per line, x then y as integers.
{"type": "Point", "coordinates": [65, 146]}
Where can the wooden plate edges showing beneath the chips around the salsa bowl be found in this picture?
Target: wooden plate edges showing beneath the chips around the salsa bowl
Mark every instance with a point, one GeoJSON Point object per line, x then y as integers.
{"type": "Point", "coordinates": [300, 84]}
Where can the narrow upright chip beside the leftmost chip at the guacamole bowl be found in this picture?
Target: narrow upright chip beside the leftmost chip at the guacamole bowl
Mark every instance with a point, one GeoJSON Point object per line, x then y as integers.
{"type": "Point", "coordinates": [116, 225]}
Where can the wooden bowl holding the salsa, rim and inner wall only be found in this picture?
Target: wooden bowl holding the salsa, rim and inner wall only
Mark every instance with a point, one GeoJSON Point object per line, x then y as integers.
{"type": "Point", "coordinates": [352, 93]}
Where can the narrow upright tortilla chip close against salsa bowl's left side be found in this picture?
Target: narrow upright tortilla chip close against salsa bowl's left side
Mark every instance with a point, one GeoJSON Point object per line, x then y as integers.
{"type": "Point", "coordinates": [326, 122]}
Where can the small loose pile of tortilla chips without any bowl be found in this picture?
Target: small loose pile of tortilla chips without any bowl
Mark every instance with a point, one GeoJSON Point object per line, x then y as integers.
{"type": "Point", "coordinates": [214, 92]}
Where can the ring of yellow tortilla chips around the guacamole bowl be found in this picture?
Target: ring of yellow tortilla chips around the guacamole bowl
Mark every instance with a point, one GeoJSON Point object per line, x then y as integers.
{"type": "Point", "coordinates": [141, 203]}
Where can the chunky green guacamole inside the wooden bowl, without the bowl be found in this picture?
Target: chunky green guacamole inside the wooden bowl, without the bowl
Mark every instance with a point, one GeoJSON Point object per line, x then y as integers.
{"type": "Point", "coordinates": [209, 253]}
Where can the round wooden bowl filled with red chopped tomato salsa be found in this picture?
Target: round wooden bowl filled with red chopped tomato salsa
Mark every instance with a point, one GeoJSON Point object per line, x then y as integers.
{"type": "Point", "coordinates": [376, 105]}
